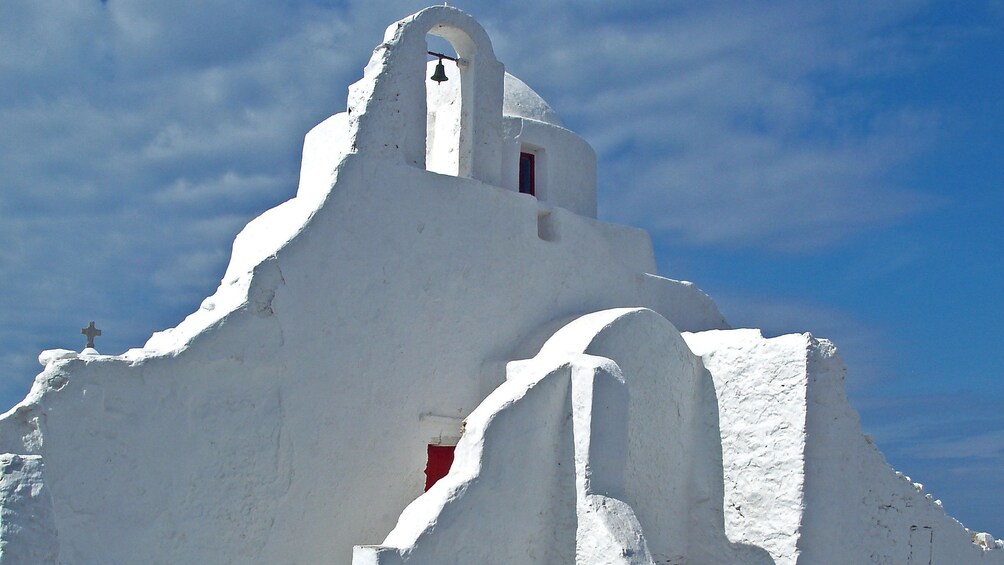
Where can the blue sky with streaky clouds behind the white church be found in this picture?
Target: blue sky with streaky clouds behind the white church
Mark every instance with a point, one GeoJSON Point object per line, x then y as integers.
{"type": "Point", "coordinates": [825, 167]}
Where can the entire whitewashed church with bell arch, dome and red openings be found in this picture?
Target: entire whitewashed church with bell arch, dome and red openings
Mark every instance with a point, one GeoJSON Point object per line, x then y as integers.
{"type": "Point", "coordinates": [436, 355]}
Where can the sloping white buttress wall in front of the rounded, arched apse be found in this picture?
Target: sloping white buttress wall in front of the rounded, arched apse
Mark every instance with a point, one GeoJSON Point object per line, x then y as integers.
{"type": "Point", "coordinates": [541, 466]}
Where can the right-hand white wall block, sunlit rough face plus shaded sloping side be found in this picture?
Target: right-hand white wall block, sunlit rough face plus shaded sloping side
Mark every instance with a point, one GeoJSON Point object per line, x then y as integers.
{"type": "Point", "coordinates": [802, 480]}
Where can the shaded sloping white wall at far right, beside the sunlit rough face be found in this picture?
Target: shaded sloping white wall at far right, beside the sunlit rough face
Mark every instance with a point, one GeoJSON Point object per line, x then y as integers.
{"type": "Point", "coordinates": [858, 509]}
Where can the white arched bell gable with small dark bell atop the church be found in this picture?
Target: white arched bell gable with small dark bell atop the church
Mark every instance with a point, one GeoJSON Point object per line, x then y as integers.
{"type": "Point", "coordinates": [388, 109]}
